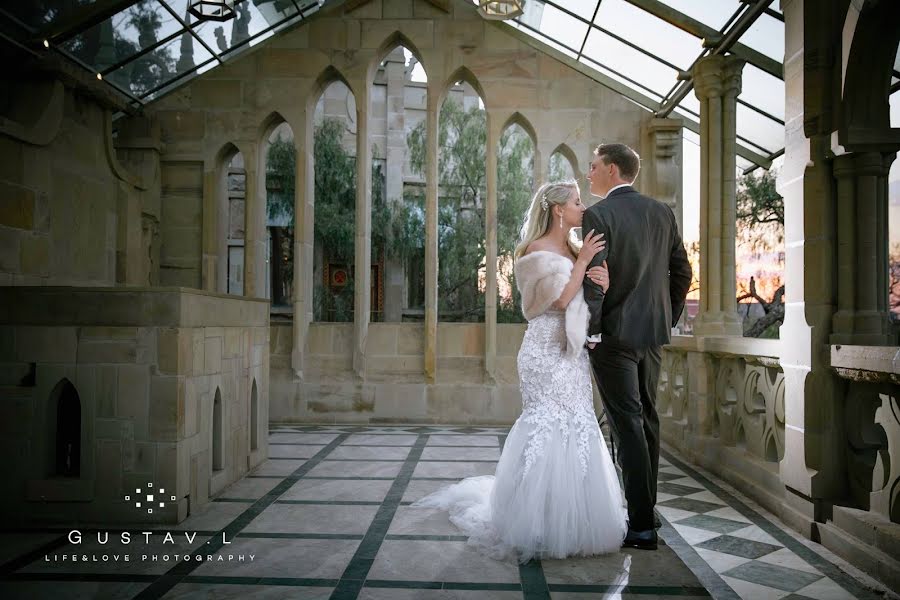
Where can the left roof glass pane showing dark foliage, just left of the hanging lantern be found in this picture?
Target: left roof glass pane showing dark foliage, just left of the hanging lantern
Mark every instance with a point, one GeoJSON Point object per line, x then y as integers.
{"type": "Point", "coordinates": [136, 28]}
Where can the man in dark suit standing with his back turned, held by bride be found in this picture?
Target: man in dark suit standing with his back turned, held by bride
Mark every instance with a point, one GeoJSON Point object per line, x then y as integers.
{"type": "Point", "coordinates": [649, 277]}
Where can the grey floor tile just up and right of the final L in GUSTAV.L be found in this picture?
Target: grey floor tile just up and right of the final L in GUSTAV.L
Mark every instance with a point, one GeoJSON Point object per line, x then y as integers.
{"type": "Point", "coordinates": [313, 518]}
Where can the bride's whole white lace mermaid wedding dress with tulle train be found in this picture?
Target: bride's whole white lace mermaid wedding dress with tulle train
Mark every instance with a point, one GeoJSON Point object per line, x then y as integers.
{"type": "Point", "coordinates": [555, 492]}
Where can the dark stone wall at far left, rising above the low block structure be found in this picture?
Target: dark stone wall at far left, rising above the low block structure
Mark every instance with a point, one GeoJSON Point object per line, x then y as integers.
{"type": "Point", "coordinates": [71, 212]}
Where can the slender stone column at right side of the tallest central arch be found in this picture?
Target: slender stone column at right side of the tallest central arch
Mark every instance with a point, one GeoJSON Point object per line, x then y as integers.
{"type": "Point", "coordinates": [431, 231]}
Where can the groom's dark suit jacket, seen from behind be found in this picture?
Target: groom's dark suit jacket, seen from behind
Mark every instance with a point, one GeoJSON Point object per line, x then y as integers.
{"type": "Point", "coordinates": [648, 270]}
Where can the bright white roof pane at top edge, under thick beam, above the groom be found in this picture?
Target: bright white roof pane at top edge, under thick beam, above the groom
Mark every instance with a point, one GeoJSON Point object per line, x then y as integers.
{"type": "Point", "coordinates": [646, 31]}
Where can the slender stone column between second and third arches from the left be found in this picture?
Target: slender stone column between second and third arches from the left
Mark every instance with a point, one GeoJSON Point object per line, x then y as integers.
{"type": "Point", "coordinates": [304, 219]}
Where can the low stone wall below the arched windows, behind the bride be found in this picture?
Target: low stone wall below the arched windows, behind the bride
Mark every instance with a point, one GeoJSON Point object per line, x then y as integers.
{"type": "Point", "coordinates": [394, 388]}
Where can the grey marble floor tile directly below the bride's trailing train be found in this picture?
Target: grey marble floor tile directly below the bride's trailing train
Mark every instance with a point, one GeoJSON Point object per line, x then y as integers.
{"type": "Point", "coordinates": [438, 561]}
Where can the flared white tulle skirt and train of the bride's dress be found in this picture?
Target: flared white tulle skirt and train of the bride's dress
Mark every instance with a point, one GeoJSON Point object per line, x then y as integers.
{"type": "Point", "coordinates": [549, 503]}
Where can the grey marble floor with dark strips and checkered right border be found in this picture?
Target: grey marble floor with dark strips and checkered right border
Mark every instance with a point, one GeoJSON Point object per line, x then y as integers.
{"type": "Point", "coordinates": [328, 516]}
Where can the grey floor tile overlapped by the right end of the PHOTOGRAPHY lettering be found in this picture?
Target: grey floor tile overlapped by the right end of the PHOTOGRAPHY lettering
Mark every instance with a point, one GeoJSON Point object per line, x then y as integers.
{"type": "Point", "coordinates": [304, 558]}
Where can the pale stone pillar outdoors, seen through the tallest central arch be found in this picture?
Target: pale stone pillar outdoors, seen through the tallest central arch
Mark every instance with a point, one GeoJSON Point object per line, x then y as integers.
{"type": "Point", "coordinates": [394, 274]}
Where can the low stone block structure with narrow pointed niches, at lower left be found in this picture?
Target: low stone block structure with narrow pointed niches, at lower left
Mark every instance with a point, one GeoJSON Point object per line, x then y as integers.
{"type": "Point", "coordinates": [146, 367]}
